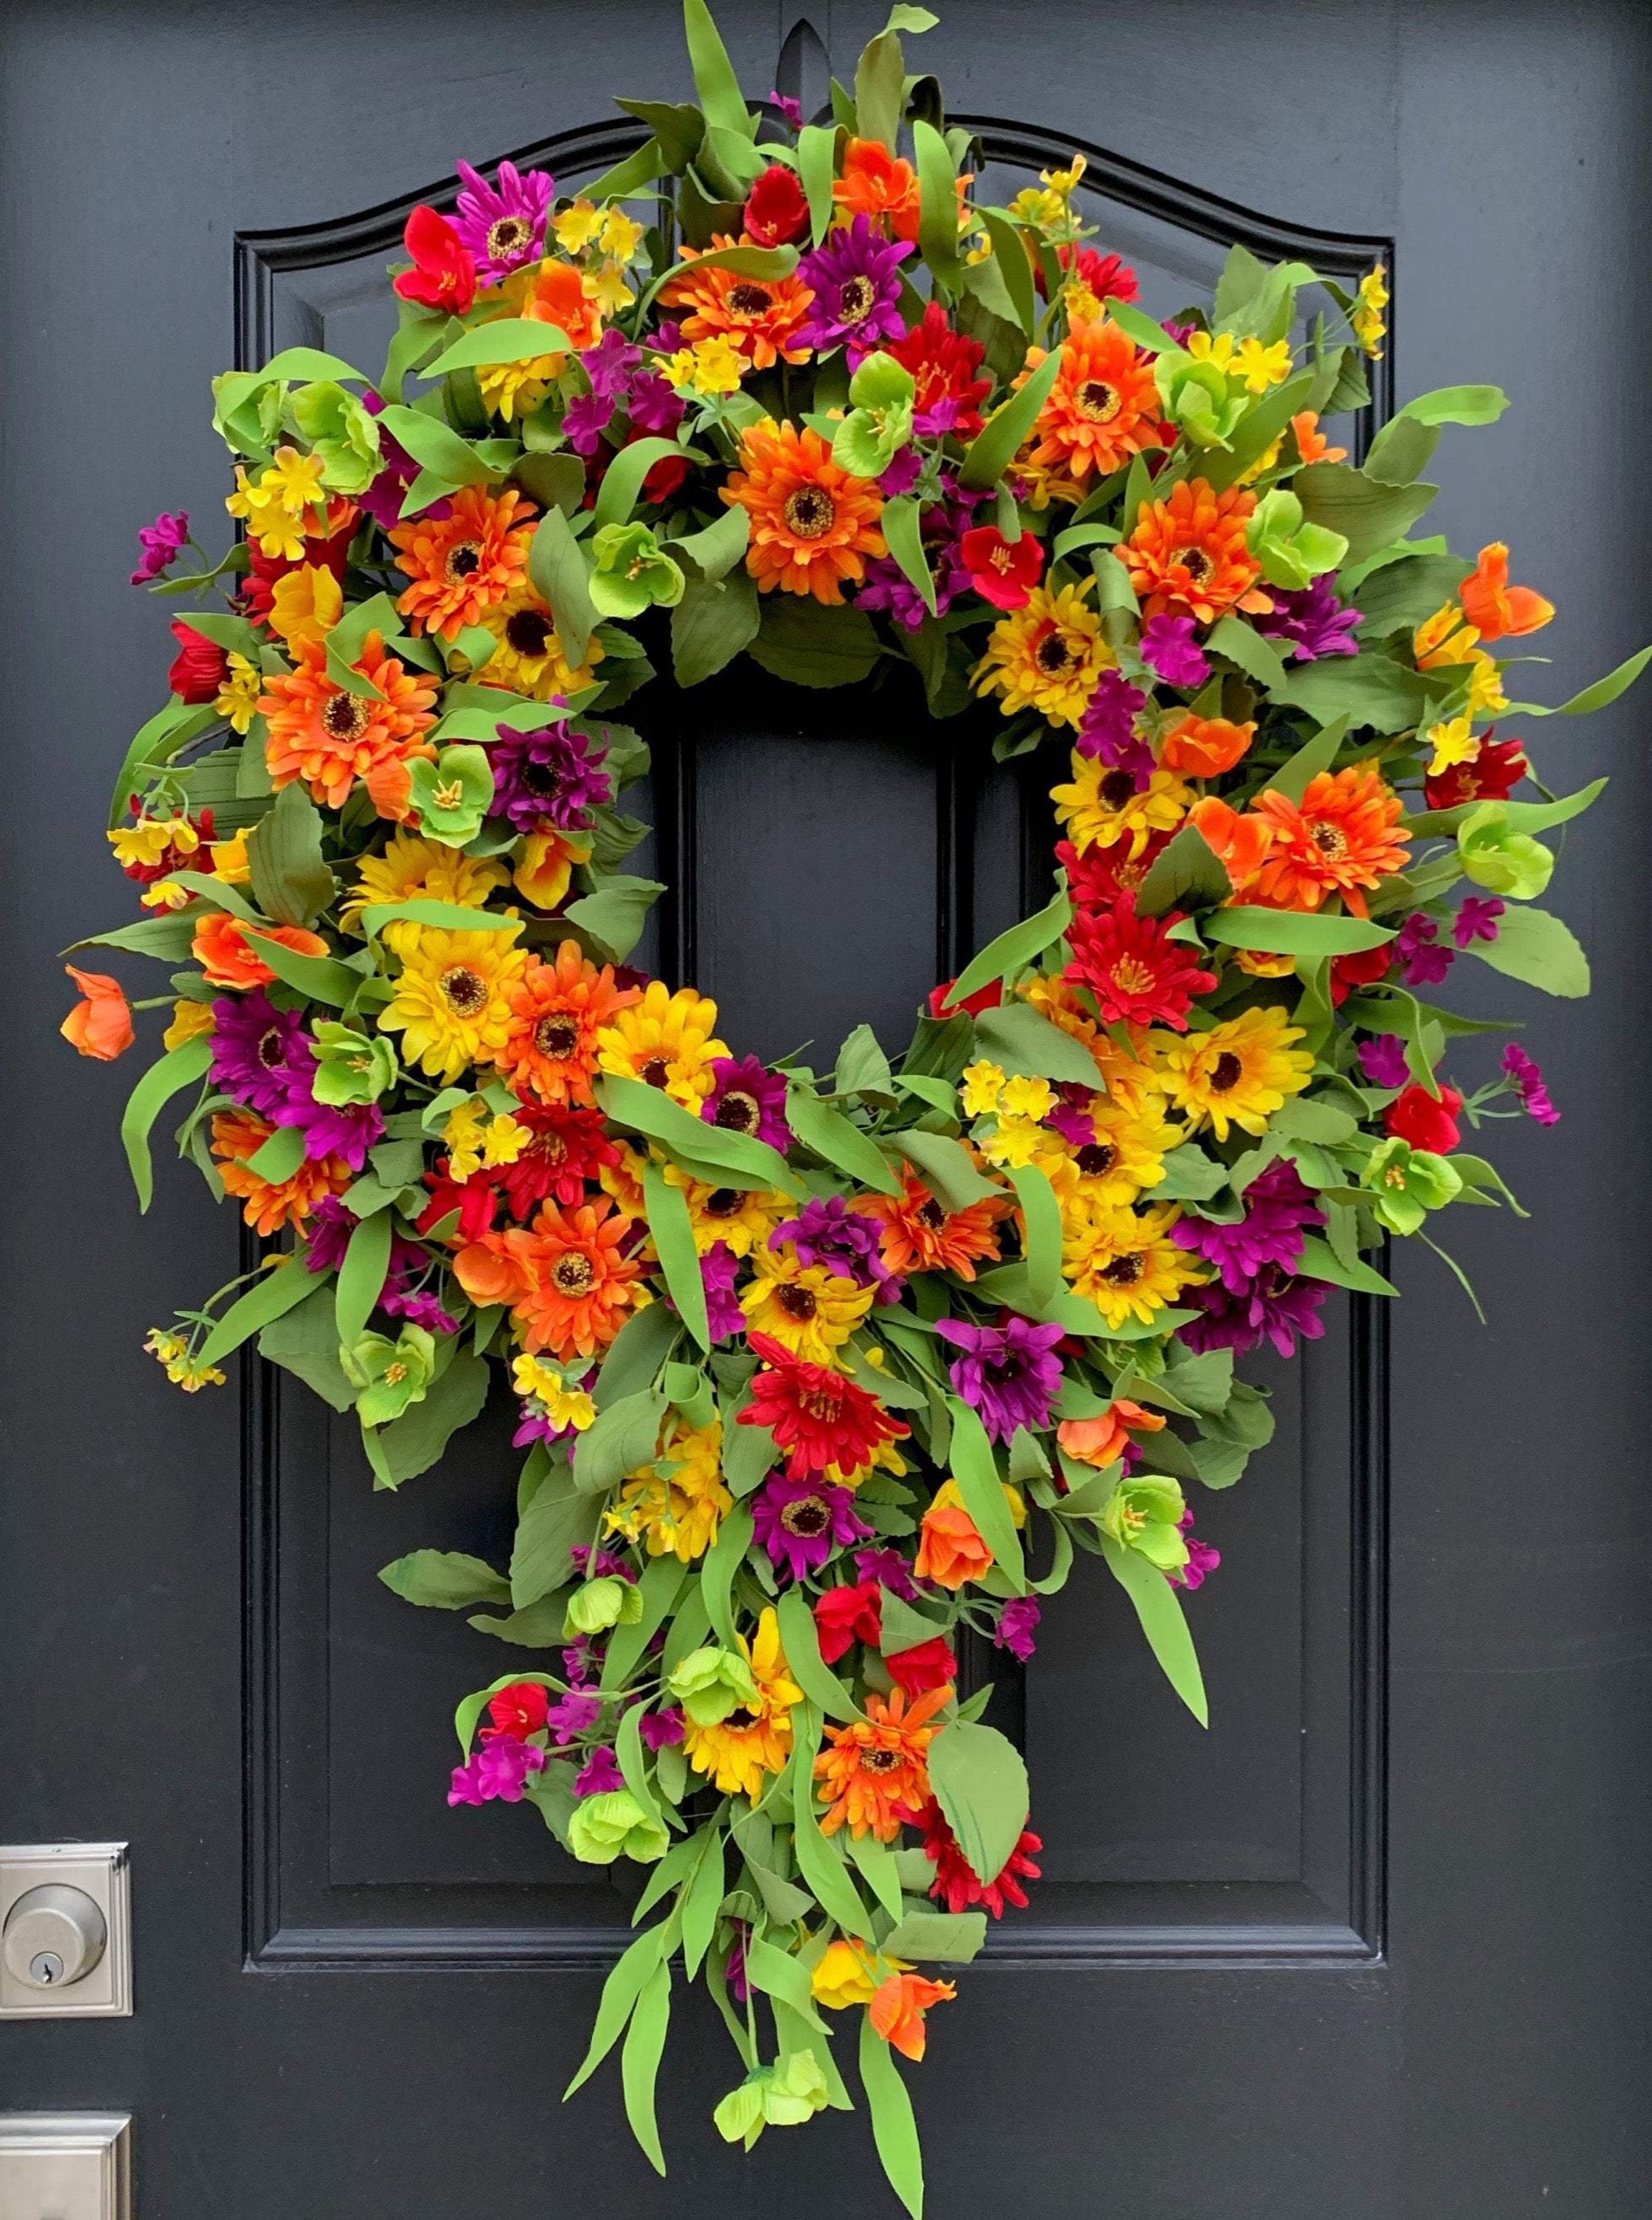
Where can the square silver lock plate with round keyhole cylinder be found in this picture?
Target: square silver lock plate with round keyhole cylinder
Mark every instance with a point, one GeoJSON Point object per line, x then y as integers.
{"type": "Point", "coordinates": [66, 1933]}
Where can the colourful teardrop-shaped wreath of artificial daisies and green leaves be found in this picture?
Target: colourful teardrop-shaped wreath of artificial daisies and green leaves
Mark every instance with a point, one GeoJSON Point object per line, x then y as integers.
{"type": "Point", "coordinates": [818, 1373]}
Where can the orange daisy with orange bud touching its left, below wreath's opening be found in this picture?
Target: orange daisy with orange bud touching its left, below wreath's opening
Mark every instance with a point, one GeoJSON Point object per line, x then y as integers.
{"type": "Point", "coordinates": [567, 1278]}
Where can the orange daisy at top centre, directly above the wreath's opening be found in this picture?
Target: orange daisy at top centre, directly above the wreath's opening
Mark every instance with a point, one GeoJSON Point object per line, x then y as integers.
{"type": "Point", "coordinates": [812, 523]}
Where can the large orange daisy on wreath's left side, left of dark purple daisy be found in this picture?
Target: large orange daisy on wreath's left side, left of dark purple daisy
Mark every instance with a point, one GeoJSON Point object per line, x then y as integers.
{"type": "Point", "coordinates": [332, 738]}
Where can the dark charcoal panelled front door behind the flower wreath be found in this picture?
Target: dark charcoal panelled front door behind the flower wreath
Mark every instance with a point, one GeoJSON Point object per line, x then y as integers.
{"type": "Point", "coordinates": [1373, 1948]}
